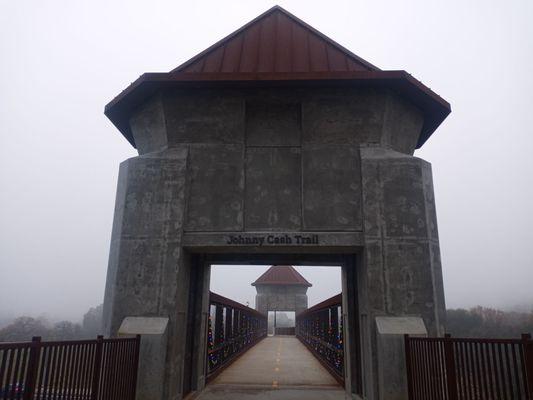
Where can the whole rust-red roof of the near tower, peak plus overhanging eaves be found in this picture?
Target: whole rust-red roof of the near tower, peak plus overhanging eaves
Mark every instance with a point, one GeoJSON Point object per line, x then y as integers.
{"type": "Point", "coordinates": [277, 48]}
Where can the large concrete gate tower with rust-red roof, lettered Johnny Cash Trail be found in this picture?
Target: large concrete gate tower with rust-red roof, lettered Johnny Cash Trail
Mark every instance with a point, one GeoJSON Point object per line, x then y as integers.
{"type": "Point", "coordinates": [275, 145]}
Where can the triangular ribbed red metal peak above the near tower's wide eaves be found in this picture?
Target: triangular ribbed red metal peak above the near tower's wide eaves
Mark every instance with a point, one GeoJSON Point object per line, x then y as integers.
{"type": "Point", "coordinates": [276, 41]}
